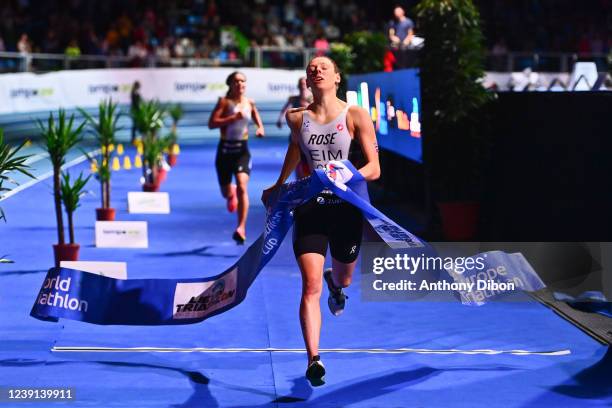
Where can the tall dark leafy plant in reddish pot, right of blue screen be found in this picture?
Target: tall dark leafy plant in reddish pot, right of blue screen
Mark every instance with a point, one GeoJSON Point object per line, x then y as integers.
{"type": "Point", "coordinates": [453, 100]}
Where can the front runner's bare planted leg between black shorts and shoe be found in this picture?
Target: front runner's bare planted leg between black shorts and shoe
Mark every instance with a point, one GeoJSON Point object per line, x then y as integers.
{"type": "Point", "coordinates": [311, 267]}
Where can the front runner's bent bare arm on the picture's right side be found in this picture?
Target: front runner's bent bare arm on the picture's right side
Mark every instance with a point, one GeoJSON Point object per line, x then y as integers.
{"type": "Point", "coordinates": [365, 134]}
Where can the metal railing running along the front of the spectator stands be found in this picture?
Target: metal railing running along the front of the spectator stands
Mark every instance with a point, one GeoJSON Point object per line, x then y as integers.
{"type": "Point", "coordinates": [277, 57]}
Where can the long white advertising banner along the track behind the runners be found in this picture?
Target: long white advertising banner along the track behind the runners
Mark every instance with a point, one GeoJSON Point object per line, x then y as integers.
{"type": "Point", "coordinates": [26, 92]}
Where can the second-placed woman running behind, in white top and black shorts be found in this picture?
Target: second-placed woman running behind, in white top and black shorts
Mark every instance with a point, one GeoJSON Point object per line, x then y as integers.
{"type": "Point", "coordinates": [231, 115]}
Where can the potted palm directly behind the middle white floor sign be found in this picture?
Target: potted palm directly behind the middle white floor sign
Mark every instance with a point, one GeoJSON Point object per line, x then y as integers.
{"type": "Point", "coordinates": [104, 128]}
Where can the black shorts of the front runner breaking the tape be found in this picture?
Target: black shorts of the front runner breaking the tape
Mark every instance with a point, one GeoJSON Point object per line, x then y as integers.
{"type": "Point", "coordinates": [328, 220]}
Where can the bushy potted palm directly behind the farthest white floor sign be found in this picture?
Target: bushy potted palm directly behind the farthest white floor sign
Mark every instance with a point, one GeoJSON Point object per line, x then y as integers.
{"type": "Point", "coordinates": [148, 117]}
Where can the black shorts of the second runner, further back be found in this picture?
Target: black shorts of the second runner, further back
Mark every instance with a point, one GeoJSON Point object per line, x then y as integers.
{"type": "Point", "coordinates": [233, 157]}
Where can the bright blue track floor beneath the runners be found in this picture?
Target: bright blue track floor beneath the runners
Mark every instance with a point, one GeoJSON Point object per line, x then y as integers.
{"type": "Point", "coordinates": [195, 240]}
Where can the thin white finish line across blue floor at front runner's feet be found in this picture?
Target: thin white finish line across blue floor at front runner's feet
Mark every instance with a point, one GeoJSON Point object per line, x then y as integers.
{"type": "Point", "coordinates": [80, 349]}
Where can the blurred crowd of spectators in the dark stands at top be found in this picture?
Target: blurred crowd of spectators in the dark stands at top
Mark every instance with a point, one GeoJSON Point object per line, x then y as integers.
{"type": "Point", "coordinates": [139, 29]}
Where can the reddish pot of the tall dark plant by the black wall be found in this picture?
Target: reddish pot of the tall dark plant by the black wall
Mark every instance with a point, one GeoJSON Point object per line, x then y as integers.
{"type": "Point", "coordinates": [459, 220]}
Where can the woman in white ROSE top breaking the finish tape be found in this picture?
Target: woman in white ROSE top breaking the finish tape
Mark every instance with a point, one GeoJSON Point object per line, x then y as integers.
{"type": "Point", "coordinates": [326, 132]}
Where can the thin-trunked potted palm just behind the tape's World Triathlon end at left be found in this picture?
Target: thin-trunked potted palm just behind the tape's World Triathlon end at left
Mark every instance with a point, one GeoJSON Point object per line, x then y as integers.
{"type": "Point", "coordinates": [59, 137]}
